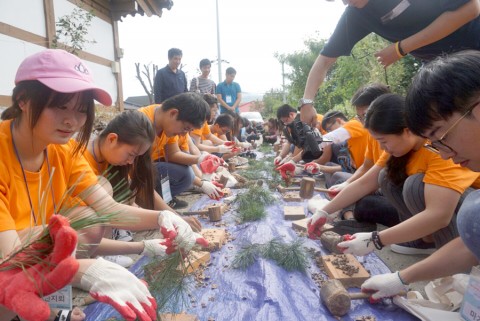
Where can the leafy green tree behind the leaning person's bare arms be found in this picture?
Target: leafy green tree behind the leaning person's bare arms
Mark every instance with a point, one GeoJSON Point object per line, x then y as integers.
{"type": "Point", "coordinates": [348, 73]}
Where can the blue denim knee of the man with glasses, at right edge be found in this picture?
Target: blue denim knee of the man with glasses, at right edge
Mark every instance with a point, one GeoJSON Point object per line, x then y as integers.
{"type": "Point", "coordinates": [468, 222]}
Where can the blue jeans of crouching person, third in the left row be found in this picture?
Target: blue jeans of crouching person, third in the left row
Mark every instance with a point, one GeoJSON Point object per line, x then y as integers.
{"type": "Point", "coordinates": [181, 177]}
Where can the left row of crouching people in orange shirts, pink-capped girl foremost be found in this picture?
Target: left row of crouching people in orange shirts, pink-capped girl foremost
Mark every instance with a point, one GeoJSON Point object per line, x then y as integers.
{"type": "Point", "coordinates": [56, 174]}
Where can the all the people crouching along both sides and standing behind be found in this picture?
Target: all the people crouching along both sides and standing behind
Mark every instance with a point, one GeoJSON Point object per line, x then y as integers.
{"type": "Point", "coordinates": [409, 163]}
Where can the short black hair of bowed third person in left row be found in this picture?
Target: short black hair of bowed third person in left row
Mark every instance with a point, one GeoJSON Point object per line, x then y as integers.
{"type": "Point", "coordinates": [192, 108]}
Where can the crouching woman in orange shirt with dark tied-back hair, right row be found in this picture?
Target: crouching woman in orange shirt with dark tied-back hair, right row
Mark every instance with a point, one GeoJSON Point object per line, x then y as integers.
{"type": "Point", "coordinates": [425, 189]}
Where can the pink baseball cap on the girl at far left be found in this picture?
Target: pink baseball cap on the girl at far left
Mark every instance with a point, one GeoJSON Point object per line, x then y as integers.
{"type": "Point", "coordinates": [60, 71]}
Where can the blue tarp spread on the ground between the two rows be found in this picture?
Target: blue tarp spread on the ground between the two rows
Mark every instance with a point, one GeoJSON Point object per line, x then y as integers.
{"type": "Point", "coordinates": [264, 292]}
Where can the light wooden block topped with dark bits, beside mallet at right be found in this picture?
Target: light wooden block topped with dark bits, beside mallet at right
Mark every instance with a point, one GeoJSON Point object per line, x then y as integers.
{"type": "Point", "coordinates": [346, 269]}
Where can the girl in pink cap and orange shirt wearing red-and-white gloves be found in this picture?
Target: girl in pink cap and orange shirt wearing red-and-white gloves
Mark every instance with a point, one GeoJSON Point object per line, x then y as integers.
{"type": "Point", "coordinates": [53, 99]}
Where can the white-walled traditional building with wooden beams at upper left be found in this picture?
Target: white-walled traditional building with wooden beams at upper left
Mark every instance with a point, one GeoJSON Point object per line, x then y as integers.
{"type": "Point", "coordinates": [29, 26]}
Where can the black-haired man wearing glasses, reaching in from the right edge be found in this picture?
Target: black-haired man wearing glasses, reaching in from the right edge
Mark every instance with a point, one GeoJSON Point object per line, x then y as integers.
{"type": "Point", "coordinates": [442, 106]}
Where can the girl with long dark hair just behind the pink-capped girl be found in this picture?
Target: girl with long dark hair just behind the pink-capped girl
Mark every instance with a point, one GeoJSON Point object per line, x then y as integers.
{"type": "Point", "coordinates": [122, 153]}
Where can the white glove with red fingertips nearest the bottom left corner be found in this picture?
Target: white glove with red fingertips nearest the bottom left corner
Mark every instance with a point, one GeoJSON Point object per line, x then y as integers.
{"type": "Point", "coordinates": [112, 284]}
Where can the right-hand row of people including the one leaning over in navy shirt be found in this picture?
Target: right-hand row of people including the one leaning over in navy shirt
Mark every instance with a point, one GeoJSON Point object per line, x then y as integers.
{"type": "Point", "coordinates": [404, 162]}
